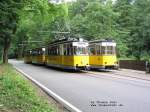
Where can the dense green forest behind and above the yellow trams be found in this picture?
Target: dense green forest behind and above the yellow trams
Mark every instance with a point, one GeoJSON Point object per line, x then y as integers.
{"type": "Point", "coordinates": [28, 24]}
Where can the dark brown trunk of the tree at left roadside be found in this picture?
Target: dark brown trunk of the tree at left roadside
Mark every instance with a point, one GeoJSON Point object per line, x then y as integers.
{"type": "Point", "coordinates": [5, 50]}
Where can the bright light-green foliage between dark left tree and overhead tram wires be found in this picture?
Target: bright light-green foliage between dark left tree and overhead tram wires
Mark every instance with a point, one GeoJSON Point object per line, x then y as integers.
{"type": "Point", "coordinates": [36, 22]}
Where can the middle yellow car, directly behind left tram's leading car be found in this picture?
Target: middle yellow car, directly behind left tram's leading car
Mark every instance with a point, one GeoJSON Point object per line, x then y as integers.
{"type": "Point", "coordinates": [38, 56]}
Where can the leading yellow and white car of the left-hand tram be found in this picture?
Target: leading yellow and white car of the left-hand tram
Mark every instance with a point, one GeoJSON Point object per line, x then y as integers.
{"type": "Point", "coordinates": [68, 54]}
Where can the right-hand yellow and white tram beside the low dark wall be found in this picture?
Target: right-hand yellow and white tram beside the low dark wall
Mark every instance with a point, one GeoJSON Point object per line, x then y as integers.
{"type": "Point", "coordinates": [102, 54]}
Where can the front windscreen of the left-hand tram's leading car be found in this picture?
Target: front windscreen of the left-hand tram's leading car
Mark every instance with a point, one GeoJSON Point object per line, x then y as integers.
{"type": "Point", "coordinates": [80, 51]}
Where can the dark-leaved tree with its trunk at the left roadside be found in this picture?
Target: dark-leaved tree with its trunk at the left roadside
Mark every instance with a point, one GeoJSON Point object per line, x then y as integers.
{"type": "Point", "coordinates": [8, 23]}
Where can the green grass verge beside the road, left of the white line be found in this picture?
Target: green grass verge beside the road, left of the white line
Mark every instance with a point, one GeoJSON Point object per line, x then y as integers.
{"type": "Point", "coordinates": [18, 95]}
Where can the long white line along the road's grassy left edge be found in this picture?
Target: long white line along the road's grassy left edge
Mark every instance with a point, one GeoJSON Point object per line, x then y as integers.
{"type": "Point", "coordinates": [66, 104]}
